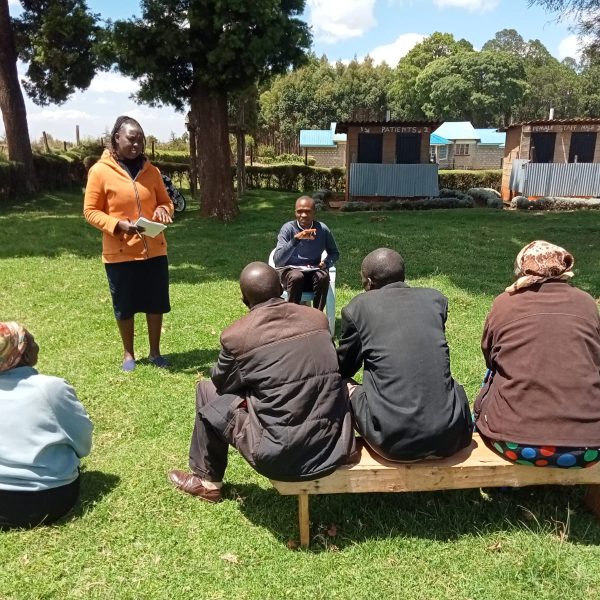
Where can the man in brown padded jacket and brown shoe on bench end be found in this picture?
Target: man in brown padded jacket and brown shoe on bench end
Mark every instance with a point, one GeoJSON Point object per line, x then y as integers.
{"type": "Point", "coordinates": [276, 395]}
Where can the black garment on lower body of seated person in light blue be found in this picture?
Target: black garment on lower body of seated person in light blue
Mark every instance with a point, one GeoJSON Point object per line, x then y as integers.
{"type": "Point", "coordinates": [28, 509]}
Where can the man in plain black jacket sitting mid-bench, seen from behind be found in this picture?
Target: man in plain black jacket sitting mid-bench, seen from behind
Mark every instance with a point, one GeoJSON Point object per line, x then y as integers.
{"type": "Point", "coordinates": [408, 406]}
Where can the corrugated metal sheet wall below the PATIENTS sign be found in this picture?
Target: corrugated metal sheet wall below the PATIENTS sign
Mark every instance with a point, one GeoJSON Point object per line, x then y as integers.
{"type": "Point", "coordinates": [393, 181]}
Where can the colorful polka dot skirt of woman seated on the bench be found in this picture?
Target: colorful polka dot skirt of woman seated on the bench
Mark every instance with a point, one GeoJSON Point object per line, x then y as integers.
{"type": "Point", "coordinates": [547, 456]}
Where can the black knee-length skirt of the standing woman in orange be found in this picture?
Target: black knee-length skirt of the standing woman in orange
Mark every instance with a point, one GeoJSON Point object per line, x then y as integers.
{"type": "Point", "coordinates": [139, 286]}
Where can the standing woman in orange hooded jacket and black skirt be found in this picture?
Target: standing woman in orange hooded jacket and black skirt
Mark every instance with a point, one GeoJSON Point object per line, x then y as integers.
{"type": "Point", "coordinates": [123, 186]}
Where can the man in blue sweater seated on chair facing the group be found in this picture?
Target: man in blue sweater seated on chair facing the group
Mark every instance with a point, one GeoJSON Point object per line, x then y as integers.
{"type": "Point", "coordinates": [300, 244]}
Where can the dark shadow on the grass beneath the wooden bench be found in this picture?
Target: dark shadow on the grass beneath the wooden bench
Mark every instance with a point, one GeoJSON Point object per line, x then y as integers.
{"type": "Point", "coordinates": [440, 516]}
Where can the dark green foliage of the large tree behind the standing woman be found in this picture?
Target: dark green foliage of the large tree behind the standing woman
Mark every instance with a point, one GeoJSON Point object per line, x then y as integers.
{"type": "Point", "coordinates": [224, 45]}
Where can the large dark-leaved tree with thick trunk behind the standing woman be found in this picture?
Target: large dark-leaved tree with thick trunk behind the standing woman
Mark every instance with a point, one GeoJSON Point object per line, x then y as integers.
{"type": "Point", "coordinates": [201, 51]}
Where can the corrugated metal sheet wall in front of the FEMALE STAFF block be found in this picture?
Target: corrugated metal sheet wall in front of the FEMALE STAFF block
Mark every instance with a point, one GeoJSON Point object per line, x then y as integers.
{"type": "Point", "coordinates": [551, 179]}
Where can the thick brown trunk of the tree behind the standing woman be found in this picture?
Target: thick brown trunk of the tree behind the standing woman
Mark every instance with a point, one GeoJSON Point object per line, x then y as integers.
{"type": "Point", "coordinates": [209, 110]}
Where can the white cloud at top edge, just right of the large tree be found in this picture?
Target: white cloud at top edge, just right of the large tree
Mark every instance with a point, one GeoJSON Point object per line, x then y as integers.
{"type": "Point", "coordinates": [335, 20]}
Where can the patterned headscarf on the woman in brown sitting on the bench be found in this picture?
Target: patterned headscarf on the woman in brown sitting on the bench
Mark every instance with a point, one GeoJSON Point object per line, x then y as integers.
{"type": "Point", "coordinates": [540, 261]}
